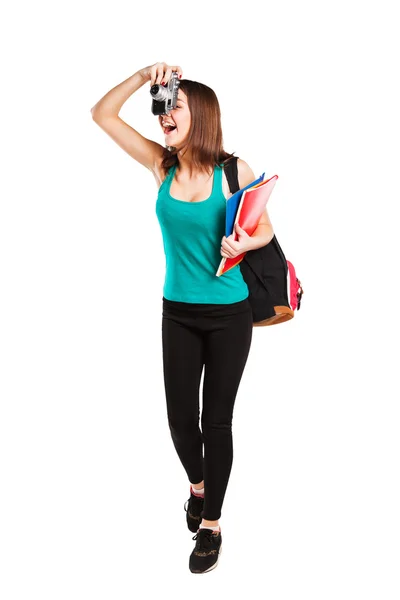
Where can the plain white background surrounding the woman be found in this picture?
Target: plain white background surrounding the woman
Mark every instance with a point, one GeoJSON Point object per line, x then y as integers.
{"type": "Point", "coordinates": [92, 491]}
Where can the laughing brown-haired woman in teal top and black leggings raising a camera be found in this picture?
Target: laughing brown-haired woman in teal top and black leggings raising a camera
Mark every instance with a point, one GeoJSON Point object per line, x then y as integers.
{"type": "Point", "coordinates": [206, 320]}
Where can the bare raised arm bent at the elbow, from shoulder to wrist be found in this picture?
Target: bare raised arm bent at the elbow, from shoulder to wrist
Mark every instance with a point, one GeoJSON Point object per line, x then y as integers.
{"type": "Point", "coordinates": [105, 115]}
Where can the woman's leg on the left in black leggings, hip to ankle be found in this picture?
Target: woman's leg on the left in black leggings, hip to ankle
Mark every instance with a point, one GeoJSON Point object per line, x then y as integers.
{"type": "Point", "coordinates": [183, 366]}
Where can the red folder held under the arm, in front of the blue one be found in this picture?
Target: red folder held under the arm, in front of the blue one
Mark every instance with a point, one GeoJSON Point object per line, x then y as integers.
{"type": "Point", "coordinates": [250, 209]}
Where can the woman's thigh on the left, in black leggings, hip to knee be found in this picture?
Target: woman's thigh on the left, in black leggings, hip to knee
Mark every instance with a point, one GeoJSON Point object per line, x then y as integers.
{"type": "Point", "coordinates": [183, 361]}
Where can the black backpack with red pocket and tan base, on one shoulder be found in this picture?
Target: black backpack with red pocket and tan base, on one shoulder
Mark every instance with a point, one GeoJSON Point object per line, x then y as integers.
{"type": "Point", "coordinates": [274, 290]}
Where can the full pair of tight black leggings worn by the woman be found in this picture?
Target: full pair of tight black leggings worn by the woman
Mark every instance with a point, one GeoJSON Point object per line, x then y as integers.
{"type": "Point", "coordinates": [217, 336]}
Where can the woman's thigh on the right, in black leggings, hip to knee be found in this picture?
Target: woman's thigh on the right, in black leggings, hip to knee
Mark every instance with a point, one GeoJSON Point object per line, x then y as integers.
{"type": "Point", "coordinates": [226, 351]}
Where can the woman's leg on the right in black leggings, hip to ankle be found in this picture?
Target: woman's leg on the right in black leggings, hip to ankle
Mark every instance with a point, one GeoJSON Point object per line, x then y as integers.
{"type": "Point", "coordinates": [227, 348]}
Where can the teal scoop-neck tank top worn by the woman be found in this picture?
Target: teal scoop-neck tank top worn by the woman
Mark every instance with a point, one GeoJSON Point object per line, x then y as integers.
{"type": "Point", "coordinates": [192, 233]}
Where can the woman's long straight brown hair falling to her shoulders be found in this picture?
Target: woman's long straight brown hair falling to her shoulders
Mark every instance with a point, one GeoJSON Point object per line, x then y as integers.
{"type": "Point", "coordinates": [205, 134]}
